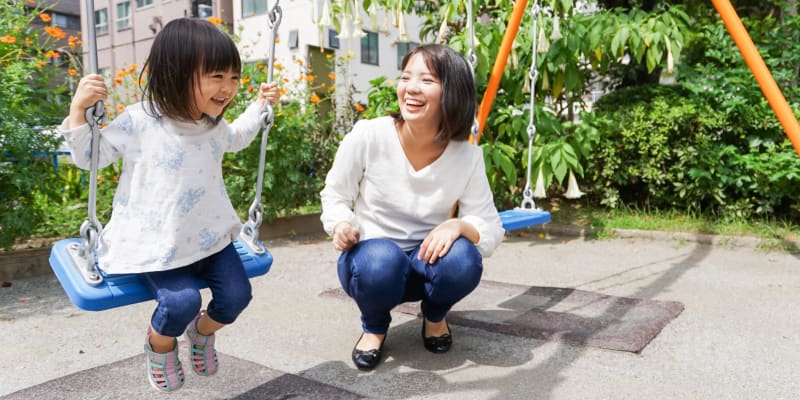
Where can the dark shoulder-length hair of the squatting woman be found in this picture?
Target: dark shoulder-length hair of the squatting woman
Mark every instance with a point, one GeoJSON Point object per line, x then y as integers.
{"type": "Point", "coordinates": [458, 100]}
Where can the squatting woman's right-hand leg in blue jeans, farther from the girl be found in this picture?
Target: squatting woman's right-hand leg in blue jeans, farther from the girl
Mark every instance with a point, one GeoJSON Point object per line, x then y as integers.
{"type": "Point", "coordinates": [449, 279]}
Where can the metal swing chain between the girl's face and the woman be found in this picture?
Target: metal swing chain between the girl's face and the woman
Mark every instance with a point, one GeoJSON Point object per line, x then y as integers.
{"type": "Point", "coordinates": [251, 227]}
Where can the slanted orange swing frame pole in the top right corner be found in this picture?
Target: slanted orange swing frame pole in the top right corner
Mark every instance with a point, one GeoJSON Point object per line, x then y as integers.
{"type": "Point", "coordinates": [759, 69]}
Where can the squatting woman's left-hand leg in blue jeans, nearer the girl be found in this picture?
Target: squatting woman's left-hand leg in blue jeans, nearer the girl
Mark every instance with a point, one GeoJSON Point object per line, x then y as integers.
{"type": "Point", "coordinates": [374, 274]}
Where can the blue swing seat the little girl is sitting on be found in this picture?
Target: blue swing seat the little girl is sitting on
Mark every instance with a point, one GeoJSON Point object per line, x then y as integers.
{"type": "Point", "coordinates": [125, 289]}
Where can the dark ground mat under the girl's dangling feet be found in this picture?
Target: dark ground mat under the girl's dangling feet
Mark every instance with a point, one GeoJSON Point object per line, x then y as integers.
{"type": "Point", "coordinates": [237, 379]}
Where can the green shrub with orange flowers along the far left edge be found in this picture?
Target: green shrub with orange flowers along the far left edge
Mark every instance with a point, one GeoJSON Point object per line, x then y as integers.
{"type": "Point", "coordinates": [29, 63]}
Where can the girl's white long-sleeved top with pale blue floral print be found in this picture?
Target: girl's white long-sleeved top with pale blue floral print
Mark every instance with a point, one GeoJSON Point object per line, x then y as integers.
{"type": "Point", "coordinates": [171, 207]}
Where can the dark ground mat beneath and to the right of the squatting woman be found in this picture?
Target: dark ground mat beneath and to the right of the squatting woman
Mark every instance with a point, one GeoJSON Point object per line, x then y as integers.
{"type": "Point", "coordinates": [549, 313]}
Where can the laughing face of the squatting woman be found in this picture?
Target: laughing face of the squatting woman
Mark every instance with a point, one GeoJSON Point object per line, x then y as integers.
{"type": "Point", "coordinates": [419, 92]}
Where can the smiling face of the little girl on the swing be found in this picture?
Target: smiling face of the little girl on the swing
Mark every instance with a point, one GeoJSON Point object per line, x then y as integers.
{"type": "Point", "coordinates": [214, 91]}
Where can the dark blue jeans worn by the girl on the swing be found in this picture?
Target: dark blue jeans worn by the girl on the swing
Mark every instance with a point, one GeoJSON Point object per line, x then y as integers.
{"type": "Point", "coordinates": [178, 293]}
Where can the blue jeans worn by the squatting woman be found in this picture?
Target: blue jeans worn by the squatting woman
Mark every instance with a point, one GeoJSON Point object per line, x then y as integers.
{"type": "Point", "coordinates": [379, 275]}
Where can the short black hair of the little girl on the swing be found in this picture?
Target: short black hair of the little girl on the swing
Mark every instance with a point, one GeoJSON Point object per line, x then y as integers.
{"type": "Point", "coordinates": [184, 50]}
